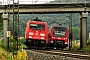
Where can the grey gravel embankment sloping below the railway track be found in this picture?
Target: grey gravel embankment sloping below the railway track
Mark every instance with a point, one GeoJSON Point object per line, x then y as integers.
{"type": "Point", "coordinates": [32, 55]}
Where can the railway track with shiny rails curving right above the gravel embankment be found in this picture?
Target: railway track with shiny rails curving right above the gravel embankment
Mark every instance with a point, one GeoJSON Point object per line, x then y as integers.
{"type": "Point", "coordinates": [66, 53]}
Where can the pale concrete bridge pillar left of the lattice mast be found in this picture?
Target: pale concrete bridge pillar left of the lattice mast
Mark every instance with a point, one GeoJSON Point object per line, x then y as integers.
{"type": "Point", "coordinates": [5, 28]}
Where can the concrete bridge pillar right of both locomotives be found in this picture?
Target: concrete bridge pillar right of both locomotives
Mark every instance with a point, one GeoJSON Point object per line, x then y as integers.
{"type": "Point", "coordinates": [83, 30]}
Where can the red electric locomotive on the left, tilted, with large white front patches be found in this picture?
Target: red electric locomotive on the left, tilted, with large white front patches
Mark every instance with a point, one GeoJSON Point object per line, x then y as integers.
{"type": "Point", "coordinates": [36, 33]}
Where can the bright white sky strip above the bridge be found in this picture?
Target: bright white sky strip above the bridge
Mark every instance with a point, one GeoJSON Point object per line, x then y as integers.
{"type": "Point", "coordinates": [4, 2]}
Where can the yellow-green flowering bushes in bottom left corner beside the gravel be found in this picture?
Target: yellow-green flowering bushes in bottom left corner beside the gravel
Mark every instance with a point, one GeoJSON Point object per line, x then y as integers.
{"type": "Point", "coordinates": [21, 55]}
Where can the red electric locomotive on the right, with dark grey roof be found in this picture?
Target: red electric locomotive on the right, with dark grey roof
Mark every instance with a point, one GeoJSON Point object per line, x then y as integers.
{"type": "Point", "coordinates": [59, 36]}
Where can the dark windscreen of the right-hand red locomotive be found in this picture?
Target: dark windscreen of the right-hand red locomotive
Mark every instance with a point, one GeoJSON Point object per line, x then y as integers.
{"type": "Point", "coordinates": [59, 31]}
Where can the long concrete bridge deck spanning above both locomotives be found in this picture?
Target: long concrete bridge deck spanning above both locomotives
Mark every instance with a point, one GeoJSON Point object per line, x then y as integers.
{"type": "Point", "coordinates": [48, 8]}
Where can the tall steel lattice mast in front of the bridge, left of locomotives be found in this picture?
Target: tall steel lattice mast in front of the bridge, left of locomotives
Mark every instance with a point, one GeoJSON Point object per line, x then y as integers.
{"type": "Point", "coordinates": [16, 29]}
